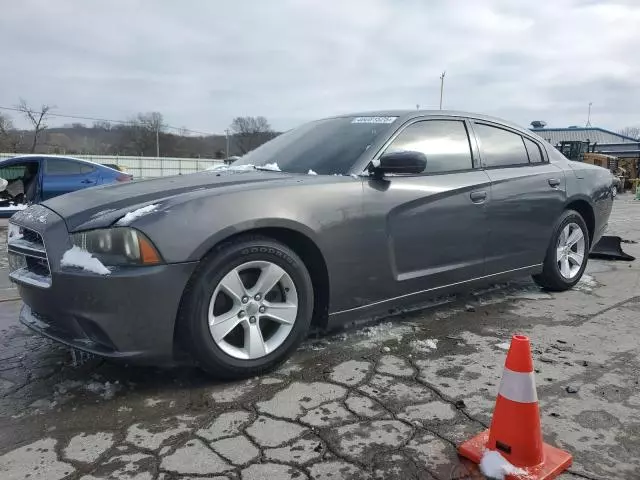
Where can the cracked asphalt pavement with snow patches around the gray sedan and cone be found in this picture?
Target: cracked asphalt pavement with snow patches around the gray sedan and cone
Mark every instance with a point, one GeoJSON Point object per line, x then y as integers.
{"type": "Point", "coordinates": [387, 400]}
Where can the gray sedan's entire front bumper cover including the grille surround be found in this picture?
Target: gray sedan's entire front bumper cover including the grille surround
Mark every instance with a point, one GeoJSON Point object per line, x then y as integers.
{"type": "Point", "coordinates": [129, 314]}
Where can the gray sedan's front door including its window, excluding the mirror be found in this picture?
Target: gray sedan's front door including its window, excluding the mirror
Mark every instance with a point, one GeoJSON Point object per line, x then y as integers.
{"type": "Point", "coordinates": [435, 222]}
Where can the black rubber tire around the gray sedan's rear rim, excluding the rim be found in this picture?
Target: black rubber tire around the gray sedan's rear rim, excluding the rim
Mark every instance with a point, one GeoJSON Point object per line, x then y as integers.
{"type": "Point", "coordinates": [551, 278]}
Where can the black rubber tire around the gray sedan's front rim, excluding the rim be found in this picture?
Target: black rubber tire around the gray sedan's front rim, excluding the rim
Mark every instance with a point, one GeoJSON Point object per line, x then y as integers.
{"type": "Point", "coordinates": [195, 335]}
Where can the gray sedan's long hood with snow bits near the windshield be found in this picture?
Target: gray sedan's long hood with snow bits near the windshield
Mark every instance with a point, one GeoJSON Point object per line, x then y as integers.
{"type": "Point", "coordinates": [101, 206]}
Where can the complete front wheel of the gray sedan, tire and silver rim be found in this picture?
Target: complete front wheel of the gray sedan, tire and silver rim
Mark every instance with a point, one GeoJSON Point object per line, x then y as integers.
{"type": "Point", "coordinates": [248, 307]}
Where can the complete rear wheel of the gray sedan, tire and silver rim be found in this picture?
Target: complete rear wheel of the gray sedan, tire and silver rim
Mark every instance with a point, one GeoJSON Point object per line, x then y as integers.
{"type": "Point", "coordinates": [567, 254]}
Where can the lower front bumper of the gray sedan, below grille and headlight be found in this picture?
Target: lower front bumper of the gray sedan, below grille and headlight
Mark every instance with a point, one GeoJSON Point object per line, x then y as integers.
{"type": "Point", "coordinates": [129, 314]}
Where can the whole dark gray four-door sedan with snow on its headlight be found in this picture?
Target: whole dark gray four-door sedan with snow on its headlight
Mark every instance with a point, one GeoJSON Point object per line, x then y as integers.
{"type": "Point", "coordinates": [340, 219]}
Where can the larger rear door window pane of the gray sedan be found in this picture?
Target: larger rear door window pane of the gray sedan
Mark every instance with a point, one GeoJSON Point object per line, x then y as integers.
{"type": "Point", "coordinates": [500, 148]}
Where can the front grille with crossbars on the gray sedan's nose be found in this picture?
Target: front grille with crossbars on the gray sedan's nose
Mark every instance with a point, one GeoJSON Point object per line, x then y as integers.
{"type": "Point", "coordinates": [28, 261]}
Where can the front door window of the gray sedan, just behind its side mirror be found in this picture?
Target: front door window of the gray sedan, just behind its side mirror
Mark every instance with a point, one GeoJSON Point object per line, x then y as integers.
{"type": "Point", "coordinates": [444, 142]}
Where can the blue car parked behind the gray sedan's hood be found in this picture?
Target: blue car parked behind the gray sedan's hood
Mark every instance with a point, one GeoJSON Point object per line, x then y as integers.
{"type": "Point", "coordinates": [30, 179]}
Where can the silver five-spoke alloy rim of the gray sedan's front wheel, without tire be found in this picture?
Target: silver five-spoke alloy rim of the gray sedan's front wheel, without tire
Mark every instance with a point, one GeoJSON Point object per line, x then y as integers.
{"type": "Point", "coordinates": [253, 310]}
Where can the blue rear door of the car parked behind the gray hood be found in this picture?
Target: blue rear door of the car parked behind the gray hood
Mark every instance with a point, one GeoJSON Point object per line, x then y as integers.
{"type": "Point", "coordinates": [64, 175]}
